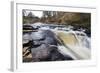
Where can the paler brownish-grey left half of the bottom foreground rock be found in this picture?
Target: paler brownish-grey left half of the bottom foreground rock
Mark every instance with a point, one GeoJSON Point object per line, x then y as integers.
{"type": "Point", "coordinates": [40, 52]}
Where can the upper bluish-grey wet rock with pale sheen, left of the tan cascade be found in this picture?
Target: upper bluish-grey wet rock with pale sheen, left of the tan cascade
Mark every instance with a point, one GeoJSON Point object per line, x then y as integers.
{"type": "Point", "coordinates": [45, 36]}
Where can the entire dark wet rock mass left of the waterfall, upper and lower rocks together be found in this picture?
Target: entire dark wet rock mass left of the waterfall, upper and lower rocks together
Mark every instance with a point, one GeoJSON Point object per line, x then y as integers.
{"type": "Point", "coordinates": [43, 47]}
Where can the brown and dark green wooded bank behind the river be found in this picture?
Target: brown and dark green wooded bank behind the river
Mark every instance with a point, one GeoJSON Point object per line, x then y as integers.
{"type": "Point", "coordinates": [78, 20]}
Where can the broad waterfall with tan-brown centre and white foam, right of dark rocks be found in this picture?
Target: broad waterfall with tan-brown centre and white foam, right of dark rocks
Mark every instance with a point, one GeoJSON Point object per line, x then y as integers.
{"type": "Point", "coordinates": [81, 48]}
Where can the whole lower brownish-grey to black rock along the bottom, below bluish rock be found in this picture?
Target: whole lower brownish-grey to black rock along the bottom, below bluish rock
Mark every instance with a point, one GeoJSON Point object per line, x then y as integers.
{"type": "Point", "coordinates": [48, 53]}
